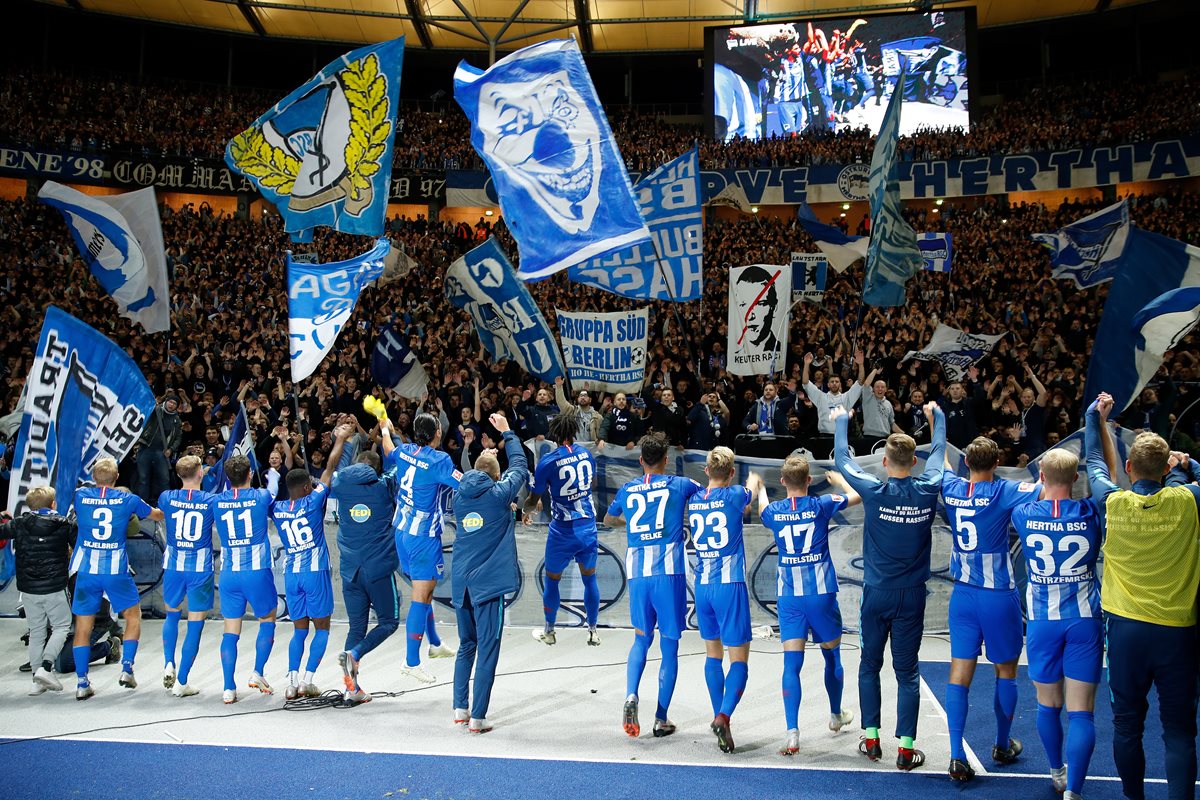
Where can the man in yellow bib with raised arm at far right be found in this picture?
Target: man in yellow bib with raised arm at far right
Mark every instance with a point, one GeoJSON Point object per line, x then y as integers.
{"type": "Point", "coordinates": [1149, 596]}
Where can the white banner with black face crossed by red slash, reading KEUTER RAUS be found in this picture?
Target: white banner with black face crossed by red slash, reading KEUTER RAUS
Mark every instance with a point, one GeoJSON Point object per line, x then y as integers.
{"type": "Point", "coordinates": [759, 305]}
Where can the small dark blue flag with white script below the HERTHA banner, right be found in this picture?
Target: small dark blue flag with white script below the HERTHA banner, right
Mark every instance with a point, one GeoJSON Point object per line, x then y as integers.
{"type": "Point", "coordinates": [1090, 251]}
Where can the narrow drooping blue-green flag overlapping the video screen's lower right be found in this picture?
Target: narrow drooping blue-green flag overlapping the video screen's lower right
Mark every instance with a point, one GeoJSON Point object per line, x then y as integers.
{"type": "Point", "coordinates": [893, 256]}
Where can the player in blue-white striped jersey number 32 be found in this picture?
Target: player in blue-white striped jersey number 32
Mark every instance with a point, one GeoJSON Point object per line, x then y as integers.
{"type": "Point", "coordinates": [1065, 639]}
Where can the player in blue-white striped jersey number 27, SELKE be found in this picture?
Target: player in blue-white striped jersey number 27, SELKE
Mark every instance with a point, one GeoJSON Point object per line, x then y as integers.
{"type": "Point", "coordinates": [653, 509]}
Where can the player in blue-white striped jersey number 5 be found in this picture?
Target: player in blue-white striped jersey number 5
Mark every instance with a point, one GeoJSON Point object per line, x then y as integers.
{"type": "Point", "coordinates": [985, 605]}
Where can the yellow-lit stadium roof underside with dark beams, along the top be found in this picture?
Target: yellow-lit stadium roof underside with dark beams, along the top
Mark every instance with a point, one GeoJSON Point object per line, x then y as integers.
{"type": "Point", "coordinates": [601, 26]}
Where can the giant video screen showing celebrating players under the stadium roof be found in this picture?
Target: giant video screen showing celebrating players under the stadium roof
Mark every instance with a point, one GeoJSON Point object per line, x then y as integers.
{"type": "Point", "coordinates": [833, 74]}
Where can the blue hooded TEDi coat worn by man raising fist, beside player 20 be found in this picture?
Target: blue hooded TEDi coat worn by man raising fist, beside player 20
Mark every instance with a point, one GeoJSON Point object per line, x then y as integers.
{"type": "Point", "coordinates": [485, 549]}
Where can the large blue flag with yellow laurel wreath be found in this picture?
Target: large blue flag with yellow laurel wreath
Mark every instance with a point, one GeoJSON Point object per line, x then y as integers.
{"type": "Point", "coordinates": [323, 154]}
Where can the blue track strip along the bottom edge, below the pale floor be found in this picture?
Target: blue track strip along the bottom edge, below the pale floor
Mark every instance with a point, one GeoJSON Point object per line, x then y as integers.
{"type": "Point", "coordinates": [44, 771]}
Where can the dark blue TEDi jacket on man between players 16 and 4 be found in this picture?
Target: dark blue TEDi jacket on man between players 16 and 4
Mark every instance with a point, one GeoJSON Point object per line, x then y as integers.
{"type": "Point", "coordinates": [365, 508]}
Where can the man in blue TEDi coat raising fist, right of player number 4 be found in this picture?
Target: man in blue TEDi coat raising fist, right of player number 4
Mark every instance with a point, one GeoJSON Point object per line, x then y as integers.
{"type": "Point", "coordinates": [484, 569]}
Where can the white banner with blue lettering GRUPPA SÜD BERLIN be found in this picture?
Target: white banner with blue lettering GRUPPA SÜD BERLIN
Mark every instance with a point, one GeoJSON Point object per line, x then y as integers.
{"type": "Point", "coordinates": [605, 352]}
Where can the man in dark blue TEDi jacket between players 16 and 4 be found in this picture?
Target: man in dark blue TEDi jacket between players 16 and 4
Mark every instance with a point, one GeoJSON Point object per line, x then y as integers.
{"type": "Point", "coordinates": [367, 503]}
